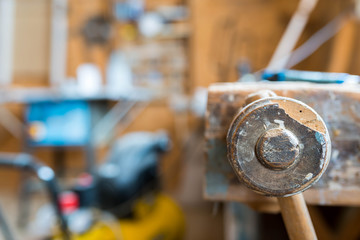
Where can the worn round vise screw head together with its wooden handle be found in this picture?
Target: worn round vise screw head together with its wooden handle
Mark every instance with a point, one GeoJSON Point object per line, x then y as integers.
{"type": "Point", "coordinates": [280, 147]}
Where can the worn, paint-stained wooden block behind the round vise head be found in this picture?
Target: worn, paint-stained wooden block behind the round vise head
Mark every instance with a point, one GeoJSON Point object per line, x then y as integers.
{"type": "Point", "coordinates": [336, 104]}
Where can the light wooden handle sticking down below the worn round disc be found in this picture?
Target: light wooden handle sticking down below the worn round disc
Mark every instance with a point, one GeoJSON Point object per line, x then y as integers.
{"type": "Point", "coordinates": [296, 218]}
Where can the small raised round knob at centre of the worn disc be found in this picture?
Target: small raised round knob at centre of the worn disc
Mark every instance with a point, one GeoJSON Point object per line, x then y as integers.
{"type": "Point", "coordinates": [277, 149]}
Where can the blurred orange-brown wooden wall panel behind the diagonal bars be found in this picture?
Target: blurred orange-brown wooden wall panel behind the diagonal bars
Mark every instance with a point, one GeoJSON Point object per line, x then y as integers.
{"type": "Point", "coordinates": [231, 31]}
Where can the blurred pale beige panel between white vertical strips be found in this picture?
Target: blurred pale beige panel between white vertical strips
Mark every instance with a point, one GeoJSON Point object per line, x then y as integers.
{"type": "Point", "coordinates": [32, 41]}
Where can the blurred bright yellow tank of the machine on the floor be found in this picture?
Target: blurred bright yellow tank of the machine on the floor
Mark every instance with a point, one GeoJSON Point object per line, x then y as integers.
{"type": "Point", "coordinates": [154, 218]}
